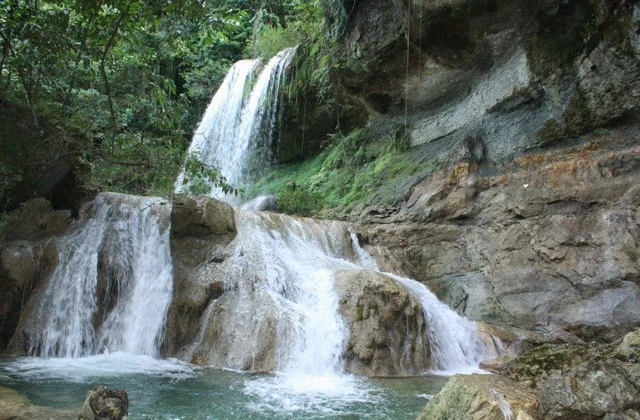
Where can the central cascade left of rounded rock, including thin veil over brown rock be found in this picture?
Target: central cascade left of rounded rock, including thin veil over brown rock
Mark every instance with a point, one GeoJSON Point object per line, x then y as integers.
{"type": "Point", "coordinates": [281, 297]}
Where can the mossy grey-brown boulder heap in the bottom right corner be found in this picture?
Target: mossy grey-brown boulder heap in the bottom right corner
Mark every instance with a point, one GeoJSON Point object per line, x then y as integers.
{"type": "Point", "coordinates": [588, 381]}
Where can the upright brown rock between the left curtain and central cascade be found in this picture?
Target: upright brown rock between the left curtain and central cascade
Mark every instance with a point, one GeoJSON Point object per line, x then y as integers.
{"type": "Point", "coordinates": [202, 234]}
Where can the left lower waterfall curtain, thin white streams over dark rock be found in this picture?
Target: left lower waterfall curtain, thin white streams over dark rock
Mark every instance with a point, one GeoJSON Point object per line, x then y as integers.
{"type": "Point", "coordinates": [134, 232]}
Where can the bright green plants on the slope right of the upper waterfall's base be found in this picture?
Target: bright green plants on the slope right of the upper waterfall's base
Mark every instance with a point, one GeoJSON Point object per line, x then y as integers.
{"type": "Point", "coordinates": [357, 170]}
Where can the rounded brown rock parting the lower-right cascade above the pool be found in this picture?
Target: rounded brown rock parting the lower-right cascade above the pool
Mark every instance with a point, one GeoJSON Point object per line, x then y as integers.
{"type": "Point", "coordinates": [373, 306]}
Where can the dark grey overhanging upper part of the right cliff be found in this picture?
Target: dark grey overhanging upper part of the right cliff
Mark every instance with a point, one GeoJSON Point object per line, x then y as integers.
{"type": "Point", "coordinates": [513, 75]}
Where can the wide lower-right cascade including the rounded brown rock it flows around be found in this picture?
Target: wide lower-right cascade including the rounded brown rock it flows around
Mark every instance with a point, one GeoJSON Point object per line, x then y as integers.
{"type": "Point", "coordinates": [291, 284]}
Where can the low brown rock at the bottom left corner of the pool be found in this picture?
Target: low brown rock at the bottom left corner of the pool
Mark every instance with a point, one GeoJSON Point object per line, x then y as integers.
{"type": "Point", "coordinates": [14, 406]}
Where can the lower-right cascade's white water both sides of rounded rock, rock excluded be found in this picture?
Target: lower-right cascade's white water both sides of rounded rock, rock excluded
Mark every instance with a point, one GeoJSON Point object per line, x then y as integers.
{"type": "Point", "coordinates": [282, 310]}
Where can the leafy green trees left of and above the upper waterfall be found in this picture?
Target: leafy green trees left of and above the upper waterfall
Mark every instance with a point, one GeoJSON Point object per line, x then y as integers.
{"type": "Point", "coordinates": [119, 85]}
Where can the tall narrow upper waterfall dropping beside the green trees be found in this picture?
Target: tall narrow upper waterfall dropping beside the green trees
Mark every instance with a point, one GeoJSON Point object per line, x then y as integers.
{"type": "Point", "coordinates": [236, 132]}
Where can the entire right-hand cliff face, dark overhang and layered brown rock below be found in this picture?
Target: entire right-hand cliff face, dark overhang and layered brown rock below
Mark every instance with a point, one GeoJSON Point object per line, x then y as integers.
{"type": "Point", "coordinates": [523, 117]}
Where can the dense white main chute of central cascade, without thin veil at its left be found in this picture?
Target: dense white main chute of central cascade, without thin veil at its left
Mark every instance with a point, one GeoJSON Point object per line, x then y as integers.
{"type": "Point", "coordinates": [293, 262]}
